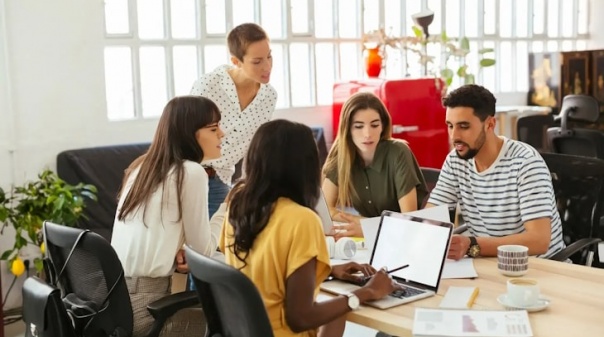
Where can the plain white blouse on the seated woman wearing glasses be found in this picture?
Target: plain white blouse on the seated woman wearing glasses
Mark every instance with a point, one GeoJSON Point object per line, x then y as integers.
{"type": "Point", "coordinates": [150, 250]}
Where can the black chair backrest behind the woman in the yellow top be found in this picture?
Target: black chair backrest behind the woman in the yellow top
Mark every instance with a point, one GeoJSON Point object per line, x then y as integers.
{"type": "Point", "coordinates": [230, 301]}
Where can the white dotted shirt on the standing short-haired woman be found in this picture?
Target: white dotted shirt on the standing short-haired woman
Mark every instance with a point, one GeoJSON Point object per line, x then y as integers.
{"type": "Point", "coordinates": [238, 126]}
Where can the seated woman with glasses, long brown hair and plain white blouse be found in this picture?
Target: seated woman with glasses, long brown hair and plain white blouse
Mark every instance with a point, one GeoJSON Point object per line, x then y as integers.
{"type": "Point", "coordinates": [164, 204]}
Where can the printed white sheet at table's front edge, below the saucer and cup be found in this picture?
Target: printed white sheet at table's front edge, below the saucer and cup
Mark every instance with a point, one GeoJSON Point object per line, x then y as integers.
{"type": "Point", "coordinates": [435, 322]}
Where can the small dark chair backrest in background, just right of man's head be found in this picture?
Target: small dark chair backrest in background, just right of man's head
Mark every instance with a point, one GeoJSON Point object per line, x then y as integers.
{"type": "Point", "coordinates": [532, 129]}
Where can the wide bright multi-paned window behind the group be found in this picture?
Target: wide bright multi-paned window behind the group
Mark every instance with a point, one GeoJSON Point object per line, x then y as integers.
{"type": "Point", "coordinates": [156, 49]}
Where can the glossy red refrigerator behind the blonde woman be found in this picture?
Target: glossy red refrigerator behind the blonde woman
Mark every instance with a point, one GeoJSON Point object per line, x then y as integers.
{"type": "Point", "coordinates": [416, 110]}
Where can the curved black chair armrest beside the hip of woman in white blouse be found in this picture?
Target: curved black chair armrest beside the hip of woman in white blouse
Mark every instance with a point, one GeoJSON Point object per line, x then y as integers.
{"type": "Point", "coordinates": [165, 307]}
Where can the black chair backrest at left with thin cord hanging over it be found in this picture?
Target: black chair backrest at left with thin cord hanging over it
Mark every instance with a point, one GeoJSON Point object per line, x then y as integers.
{"type": "Point", "coordinates": [88, 271]}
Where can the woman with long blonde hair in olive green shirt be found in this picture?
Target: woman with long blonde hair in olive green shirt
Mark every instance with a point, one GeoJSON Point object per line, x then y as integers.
{"type": "Point", "coordinates": [367, 169]}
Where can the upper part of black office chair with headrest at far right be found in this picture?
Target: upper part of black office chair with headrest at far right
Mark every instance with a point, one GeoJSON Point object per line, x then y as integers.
{"type": "Point", "coordinates": [573, 140]}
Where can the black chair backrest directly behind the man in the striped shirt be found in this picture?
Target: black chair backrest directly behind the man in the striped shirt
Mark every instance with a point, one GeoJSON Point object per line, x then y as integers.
{"type": "Point", "coordinates": [578, 185]}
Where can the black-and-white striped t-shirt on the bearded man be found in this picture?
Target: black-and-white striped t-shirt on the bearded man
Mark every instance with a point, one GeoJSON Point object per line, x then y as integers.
{"type": "Point", "coordinates": [497, 202]}
